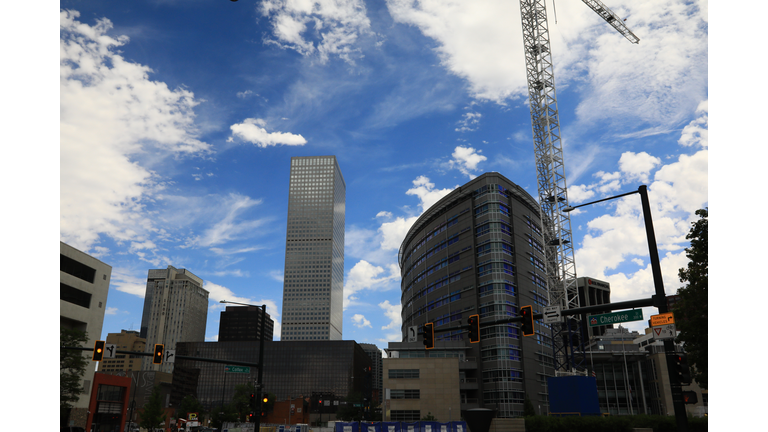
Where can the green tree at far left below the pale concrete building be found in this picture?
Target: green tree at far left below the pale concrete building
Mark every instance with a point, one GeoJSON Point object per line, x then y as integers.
{"type": "Point", "coordinates": [72, 366]}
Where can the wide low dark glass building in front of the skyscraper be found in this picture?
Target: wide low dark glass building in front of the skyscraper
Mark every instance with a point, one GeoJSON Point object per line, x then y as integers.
{"type": "Point", "coordinates": [291, 369]}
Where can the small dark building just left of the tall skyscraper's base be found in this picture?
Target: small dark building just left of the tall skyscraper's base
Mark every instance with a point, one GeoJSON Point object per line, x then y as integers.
{"type": "Point", "coordinates": [243, 323]}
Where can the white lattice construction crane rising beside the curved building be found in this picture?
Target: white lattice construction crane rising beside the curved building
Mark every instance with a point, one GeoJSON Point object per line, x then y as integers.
{"type": "Point", "coordinates": [550, 174]}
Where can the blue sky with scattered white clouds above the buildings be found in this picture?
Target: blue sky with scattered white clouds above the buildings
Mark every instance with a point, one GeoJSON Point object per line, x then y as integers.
{"type": "Point", "coordinates": [178, 121]}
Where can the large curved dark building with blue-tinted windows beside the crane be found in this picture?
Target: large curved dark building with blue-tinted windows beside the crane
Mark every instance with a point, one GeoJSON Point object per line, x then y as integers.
{"type": "Point", "coordinates": [479, 250]}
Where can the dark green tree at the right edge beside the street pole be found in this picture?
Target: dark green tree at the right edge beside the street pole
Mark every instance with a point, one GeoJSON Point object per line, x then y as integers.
{"type": "Point", "coordinates": [691, 310]}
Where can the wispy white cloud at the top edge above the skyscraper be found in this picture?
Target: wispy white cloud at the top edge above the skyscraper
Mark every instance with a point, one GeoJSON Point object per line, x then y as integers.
{"type": "Point", "coordinates": [322, 28]}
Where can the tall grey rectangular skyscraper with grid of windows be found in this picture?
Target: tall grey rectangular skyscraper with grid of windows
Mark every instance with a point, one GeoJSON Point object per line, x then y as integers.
{"type": "Point", "coordinates": [314, 251]}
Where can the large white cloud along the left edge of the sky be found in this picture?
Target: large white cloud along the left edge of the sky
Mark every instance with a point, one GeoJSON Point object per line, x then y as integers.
{"type": "Point", "coordinates": [111, 117]}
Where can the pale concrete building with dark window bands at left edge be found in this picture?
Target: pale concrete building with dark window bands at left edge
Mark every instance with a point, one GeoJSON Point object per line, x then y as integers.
{"type": "Point", "coordinates": [83, 289]}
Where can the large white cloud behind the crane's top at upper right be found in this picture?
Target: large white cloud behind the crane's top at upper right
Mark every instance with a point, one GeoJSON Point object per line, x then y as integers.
{"type": "Point", "coordinates": [481, 42]}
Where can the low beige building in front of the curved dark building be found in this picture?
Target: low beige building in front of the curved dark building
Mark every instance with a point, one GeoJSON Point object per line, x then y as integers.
{"type": "Point", "coordinates": [417, 387]}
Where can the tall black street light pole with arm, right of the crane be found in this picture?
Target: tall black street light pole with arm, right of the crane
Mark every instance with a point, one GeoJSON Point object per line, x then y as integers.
{"type": "Point", "coordinates": [660, 299]}
